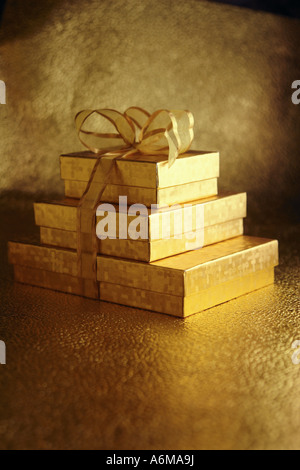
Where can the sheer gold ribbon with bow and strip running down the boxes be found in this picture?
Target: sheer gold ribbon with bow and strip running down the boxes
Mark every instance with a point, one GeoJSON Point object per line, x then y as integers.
{"type": "Point", "coordinates": [162, 133]}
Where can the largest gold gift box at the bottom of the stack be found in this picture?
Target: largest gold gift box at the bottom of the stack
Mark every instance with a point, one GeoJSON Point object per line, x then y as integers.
{"type": "Point", "coordinates": [180, 285]}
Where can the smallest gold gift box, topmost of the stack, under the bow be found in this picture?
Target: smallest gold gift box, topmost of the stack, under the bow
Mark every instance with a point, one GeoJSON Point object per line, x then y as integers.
{"type": "Point", "coordinates": [146, 179]}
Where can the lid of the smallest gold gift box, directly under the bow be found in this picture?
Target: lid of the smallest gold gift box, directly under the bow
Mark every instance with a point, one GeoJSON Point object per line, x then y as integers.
{"type": "Point", "coordinates": [146, 171]}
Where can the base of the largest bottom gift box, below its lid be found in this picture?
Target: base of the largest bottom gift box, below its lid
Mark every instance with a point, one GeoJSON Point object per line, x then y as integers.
{"type": "Point", "coordinates": [155, 301]}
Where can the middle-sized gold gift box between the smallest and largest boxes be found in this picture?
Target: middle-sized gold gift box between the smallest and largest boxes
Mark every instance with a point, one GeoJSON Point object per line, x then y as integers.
{"type": "Point", "coordinates": [223, 219]}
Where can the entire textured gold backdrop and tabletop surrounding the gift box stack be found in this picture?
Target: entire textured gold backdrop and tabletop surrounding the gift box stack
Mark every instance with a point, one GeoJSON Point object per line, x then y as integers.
{"type": "Point", "coordinates": [82, 374]}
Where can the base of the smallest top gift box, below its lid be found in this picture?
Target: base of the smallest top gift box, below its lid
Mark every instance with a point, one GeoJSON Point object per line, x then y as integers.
{"type": "Point", "coordinates": [161, 197]}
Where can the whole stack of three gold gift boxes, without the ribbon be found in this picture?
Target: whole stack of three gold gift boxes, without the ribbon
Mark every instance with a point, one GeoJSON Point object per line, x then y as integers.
{"type": "Point", "coordinates": [155, 266]}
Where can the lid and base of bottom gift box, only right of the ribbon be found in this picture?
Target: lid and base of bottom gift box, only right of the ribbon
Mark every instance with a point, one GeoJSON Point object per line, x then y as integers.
{"type": "Point", "coordinates": [189, 283]}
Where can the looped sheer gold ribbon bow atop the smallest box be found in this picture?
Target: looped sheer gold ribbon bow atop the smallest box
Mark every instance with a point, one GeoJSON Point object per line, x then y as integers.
{"type": "Point", "coordinates": [162, 133]}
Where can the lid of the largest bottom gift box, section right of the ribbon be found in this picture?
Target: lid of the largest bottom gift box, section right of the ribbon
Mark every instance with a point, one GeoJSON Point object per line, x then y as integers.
{"type": "Point", "coordinates": [189, 273]}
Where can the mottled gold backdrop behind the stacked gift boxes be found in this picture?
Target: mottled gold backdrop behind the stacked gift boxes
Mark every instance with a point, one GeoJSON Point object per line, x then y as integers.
{"type": "Point", "coordinates": [233, 68]}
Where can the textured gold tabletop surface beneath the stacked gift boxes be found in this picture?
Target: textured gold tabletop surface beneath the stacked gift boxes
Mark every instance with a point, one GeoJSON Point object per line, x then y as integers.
{"type": "Point", "coordinates": [85, 374]}
